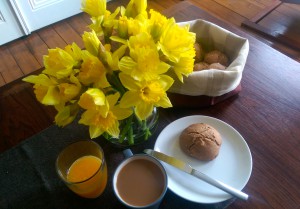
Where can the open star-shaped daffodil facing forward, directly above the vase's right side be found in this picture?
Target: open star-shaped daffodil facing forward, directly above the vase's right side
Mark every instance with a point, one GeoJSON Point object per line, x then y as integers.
{"type": "Point", "coordinates": [144, 95]}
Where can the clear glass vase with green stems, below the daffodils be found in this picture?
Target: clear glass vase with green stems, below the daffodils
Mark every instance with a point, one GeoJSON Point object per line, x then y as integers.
{"type": "Point", "coordinates": [134, 131]}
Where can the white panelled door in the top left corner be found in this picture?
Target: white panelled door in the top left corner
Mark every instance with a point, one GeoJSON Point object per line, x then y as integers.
{"type": "Point", "coordinates": [21, 17]}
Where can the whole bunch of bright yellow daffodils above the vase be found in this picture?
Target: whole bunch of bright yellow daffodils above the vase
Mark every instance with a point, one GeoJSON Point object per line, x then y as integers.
{"type": "Point", "coordinates": [130, 60]}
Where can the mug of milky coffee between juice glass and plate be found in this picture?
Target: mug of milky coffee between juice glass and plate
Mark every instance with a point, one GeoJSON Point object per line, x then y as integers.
{"type": "Point", "coordinates": [140, 181]}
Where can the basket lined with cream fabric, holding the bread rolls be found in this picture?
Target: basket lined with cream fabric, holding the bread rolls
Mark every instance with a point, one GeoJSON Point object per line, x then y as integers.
{"type": "Point", "coordinates": [208, 87]}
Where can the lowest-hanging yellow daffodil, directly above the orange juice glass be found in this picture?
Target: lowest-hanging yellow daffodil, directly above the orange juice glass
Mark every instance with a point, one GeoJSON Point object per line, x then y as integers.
{"type": "Point", "coordinates": [109, 124]}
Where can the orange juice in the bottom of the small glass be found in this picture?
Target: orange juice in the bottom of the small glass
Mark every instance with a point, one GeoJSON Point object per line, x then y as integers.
{"type": "Point", "coordinates": [87, 177]}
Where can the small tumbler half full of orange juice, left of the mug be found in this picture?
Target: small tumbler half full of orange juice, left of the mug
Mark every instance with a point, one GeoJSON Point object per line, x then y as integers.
{"type": "Point", "coordinates": [82, 167]}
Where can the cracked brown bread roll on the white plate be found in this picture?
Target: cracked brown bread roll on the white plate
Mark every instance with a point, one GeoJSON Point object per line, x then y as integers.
{"type": "Point", "coordinates": [201, 141]}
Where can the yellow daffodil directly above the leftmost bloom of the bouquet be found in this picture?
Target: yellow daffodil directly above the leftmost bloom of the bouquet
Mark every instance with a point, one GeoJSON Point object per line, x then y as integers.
{"type": "Point", "coordinates": [58, 63]}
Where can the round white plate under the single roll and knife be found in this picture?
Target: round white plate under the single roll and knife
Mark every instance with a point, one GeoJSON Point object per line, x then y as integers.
{"type": "Point", "coordinates": [232, 166]}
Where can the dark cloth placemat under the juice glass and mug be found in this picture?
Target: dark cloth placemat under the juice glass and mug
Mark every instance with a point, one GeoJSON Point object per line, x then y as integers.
{"type": "Point", "coordinates": [28, 178]}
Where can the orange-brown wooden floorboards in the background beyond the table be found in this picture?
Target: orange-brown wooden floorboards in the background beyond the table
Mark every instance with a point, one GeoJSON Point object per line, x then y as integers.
{"type": "Point", "coordinates": [24, 56]}
